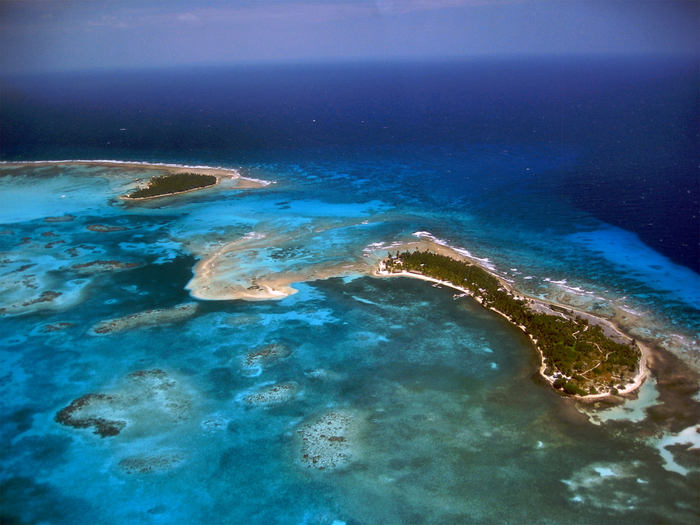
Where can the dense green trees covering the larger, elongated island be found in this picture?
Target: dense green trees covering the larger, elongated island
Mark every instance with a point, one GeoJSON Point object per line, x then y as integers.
{"type": "Point", "coordinates": [578, 354]}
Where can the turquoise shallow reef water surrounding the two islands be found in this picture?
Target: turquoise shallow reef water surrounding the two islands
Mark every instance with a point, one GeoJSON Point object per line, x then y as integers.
{"type": "Point", "coordinates": [447, 421]}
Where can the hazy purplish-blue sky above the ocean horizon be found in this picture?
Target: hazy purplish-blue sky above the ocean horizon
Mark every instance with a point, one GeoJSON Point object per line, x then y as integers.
{"type": "Point", "coordinates": [67, 35]}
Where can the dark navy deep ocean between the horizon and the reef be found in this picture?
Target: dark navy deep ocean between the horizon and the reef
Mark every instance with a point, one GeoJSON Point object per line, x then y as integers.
{"type": "Point", "coordinates": [621, 135]}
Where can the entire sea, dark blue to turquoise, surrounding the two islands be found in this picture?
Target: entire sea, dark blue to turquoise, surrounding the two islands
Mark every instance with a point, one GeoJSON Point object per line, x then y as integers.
{"type": "Point", "coordinates": [575, 178]}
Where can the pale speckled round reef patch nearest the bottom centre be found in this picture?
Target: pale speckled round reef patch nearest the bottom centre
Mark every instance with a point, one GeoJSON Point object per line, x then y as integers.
{"type": "Point", "coordinates": [329, 442]}
